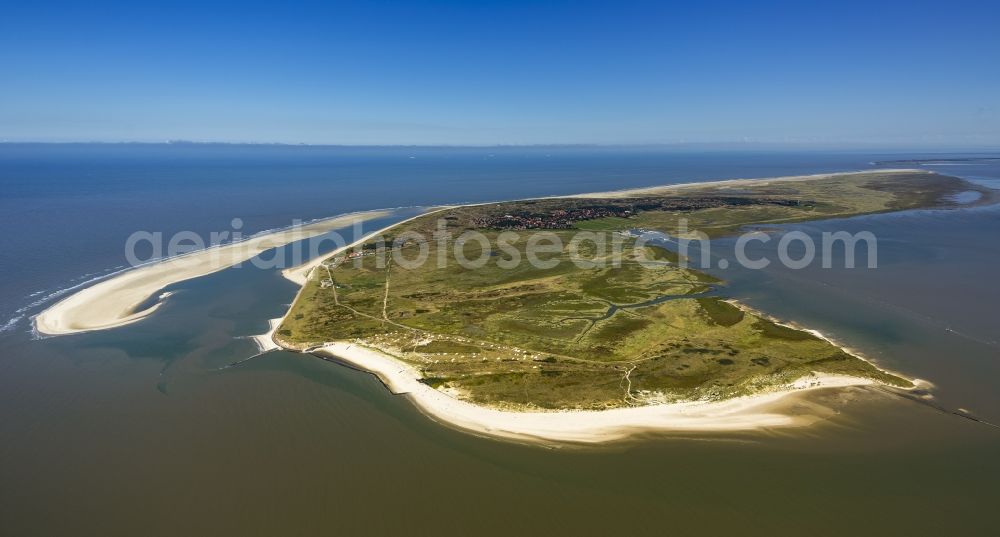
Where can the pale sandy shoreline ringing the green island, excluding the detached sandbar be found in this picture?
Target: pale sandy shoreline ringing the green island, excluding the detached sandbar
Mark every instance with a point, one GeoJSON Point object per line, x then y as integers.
{"type": "Point", "coordinates": [758, 411]}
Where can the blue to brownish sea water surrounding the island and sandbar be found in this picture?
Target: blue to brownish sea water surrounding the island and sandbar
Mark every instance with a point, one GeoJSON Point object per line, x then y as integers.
{"type": "Point", "coordinates": [141, 430]}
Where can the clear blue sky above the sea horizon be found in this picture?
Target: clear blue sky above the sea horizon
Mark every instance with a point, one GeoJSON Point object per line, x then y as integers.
{"type": "Point", "coordinates": [845, 73]}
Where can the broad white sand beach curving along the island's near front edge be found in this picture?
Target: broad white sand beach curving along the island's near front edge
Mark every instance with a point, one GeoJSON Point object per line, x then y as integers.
{"type": "Point", "coordinates": [582, 426]}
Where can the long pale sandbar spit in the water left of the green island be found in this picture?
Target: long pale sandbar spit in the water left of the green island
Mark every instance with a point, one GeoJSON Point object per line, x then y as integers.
{"type": "Point", "coordinates": [113, 302]}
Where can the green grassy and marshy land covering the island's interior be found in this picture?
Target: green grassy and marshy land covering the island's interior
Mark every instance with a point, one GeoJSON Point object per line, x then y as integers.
{"type": "Point", "coordinates": [625, 329]}
